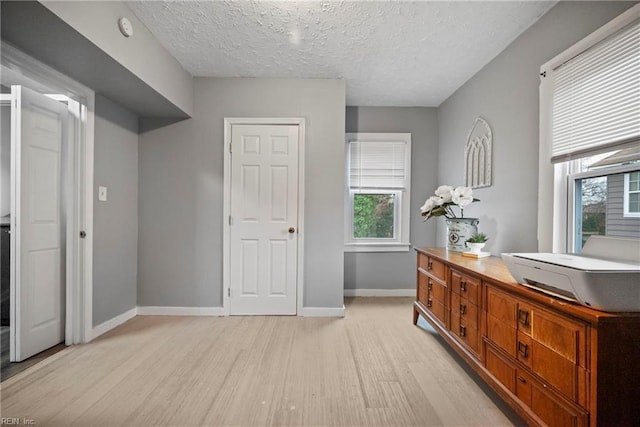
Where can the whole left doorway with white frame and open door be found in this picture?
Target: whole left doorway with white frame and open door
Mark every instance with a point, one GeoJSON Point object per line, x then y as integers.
{"type": "Point", "coordinates": [47, 170]}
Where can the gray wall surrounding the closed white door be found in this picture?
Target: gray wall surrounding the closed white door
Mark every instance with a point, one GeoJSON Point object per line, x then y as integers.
{"type": "Point", "coordinates": [181, 190]}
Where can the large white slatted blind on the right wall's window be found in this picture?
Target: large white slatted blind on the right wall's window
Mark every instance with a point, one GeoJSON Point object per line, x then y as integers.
{"type": "Point", "coordinates": [596, 97]}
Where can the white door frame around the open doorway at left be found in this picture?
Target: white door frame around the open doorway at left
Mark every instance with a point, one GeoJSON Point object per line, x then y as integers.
{"type": "Point", "coordinates": [79, 267]}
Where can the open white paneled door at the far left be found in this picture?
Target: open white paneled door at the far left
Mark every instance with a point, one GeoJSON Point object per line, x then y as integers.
{"type": "Point", "coordinates": [38, 262]}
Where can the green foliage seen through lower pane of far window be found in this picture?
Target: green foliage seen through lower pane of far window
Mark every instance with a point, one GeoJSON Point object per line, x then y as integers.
{"type": "Point", "coordinates": [373, 216]}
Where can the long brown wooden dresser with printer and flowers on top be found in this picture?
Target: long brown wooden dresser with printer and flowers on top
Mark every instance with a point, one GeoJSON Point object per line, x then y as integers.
{"type": "Point", "coordinates": [556, 363]}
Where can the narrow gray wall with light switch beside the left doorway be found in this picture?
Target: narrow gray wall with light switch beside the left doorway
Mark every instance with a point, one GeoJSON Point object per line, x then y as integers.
{"type": "Point", "coordinates": [115, 222]}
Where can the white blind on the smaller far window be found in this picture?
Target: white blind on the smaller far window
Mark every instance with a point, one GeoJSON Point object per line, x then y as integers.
{"type": "Point", "coordinates": [377, 164]}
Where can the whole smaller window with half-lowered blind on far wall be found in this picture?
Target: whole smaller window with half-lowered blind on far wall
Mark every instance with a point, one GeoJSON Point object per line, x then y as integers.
{"type": "Point", "coordinates": [378, 192]}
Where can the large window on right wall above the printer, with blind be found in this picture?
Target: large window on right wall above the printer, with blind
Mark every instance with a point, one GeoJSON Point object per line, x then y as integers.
{"type": "Point", "coordinates": [590, 138]}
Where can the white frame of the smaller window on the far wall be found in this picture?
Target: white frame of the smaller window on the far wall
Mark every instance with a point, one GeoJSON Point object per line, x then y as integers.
{"type": "Point", "coordinates": [402, 210]}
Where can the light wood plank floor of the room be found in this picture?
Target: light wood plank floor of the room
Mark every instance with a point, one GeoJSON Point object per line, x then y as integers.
{"type": "Point", "coordinates": [372, 368]}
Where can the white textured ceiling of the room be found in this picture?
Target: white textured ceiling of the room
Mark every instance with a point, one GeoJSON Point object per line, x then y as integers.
{"type": "Point", "coordinates": [392, 53]}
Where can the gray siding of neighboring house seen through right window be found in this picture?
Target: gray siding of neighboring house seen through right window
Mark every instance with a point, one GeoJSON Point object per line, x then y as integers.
{"type": "Point", "coordinates": [617, 223]}
